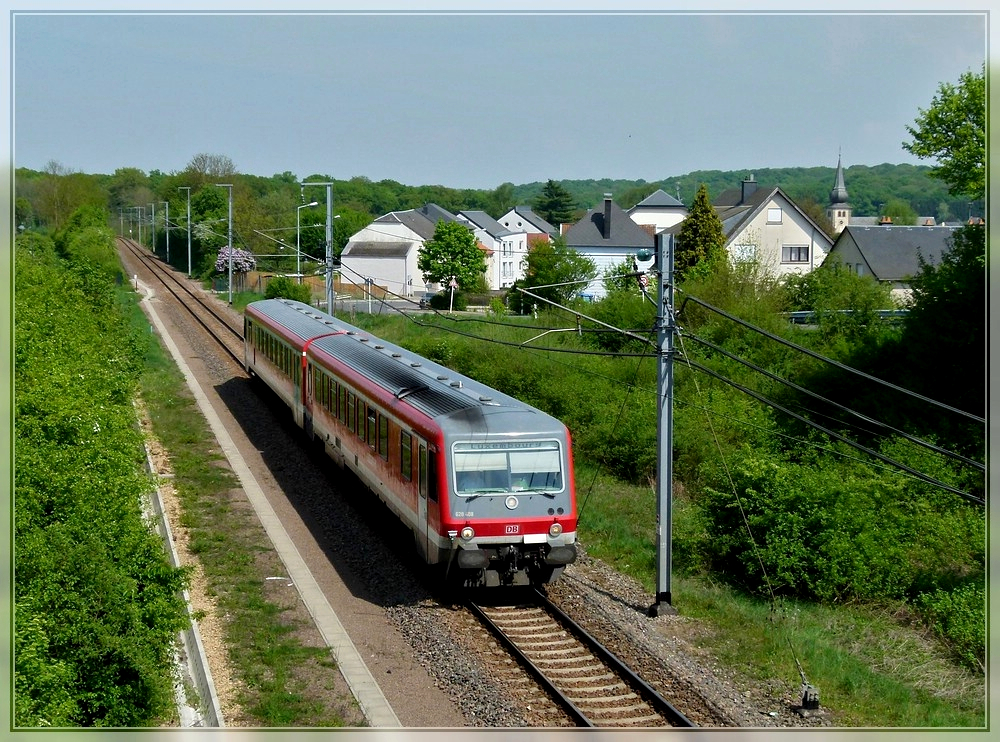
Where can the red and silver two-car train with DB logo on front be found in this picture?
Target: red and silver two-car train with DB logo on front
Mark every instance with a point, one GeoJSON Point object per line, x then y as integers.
{"type": "Point", "coordinates": [484, 481]}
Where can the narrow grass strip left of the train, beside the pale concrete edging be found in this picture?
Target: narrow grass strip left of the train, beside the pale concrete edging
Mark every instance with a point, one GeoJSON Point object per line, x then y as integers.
{"type": "Point", "coordinates": [272, 663]}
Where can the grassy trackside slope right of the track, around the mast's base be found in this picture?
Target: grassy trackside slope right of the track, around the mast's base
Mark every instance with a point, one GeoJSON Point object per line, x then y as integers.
{"type": "Point", "coordinates": [873, 667]}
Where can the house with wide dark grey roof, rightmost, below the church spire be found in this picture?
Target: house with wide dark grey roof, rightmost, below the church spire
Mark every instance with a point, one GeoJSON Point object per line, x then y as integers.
{"type": "Point", "coordinates": [891, 254]}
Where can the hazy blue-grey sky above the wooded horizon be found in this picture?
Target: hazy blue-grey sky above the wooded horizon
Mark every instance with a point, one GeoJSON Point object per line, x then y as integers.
{"type": "Point", "coordinates": [475, 99]}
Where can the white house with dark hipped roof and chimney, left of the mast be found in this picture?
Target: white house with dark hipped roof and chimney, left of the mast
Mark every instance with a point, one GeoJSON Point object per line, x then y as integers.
{"type": "Point", "coordinates": [608, 236]}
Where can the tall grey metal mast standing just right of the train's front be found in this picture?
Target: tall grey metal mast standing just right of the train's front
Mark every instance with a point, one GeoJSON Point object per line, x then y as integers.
{"type": "Point", "coordinates": [664, 427]}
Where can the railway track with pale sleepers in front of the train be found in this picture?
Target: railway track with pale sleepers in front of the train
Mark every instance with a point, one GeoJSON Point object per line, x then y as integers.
{"type": "Point", "coordinates": [593, 687]}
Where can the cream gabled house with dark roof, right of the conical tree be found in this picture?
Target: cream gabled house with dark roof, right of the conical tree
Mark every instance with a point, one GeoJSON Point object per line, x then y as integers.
{"type": "Point", "coordinates": [764, 224]}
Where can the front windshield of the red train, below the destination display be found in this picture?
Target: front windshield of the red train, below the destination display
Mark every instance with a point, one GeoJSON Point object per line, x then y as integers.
{"type": "Point", "coordinates": [490, 468]}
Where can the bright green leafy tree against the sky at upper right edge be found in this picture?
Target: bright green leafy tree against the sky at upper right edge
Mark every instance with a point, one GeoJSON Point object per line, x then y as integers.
{"type": "Point", "coordinates": [953, 132]}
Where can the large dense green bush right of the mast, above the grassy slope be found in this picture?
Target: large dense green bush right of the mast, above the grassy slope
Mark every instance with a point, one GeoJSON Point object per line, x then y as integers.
{"type": "Point", "coordinates": [831, 534]}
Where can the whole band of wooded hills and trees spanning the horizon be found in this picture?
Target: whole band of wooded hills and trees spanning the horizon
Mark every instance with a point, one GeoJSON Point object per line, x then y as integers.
{"type": "Point", "coordinates": [869, 188]}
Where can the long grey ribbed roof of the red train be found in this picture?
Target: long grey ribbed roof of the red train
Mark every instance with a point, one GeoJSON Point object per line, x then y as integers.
{"type": "Point", "coordinates": [435, 390]}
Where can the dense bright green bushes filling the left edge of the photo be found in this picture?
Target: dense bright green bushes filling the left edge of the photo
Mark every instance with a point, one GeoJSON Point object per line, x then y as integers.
{"type": "Point", "coordinates": [96, 604]}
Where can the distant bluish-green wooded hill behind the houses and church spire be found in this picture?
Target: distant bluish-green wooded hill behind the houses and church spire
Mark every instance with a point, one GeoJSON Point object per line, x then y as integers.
{"type": "Point", "coordinates": [868, 188]}
